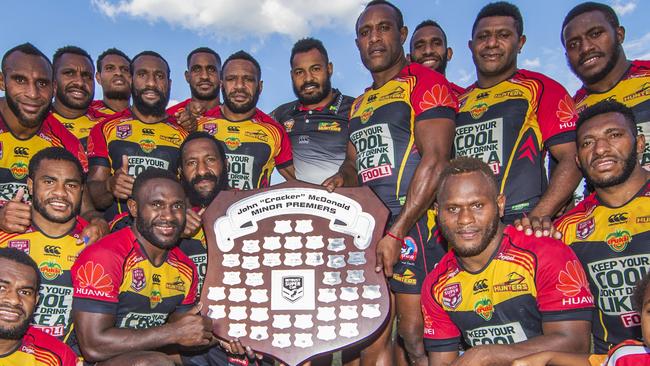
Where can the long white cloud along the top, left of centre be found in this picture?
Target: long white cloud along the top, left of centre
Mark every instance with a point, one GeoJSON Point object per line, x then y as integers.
{"type": "Point", "coordinates": [234, 20]}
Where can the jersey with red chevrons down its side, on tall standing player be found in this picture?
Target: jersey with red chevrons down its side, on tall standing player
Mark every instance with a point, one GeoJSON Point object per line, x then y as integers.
{"type": "Point", "coordinates": [510, 126]}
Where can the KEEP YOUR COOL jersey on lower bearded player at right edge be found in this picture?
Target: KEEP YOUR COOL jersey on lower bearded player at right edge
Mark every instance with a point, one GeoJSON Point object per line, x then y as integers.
{"type": "Point", "coordinates": [612, 244]}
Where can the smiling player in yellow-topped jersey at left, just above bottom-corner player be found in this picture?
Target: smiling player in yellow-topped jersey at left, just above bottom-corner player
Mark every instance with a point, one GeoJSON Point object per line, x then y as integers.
{"type": "Point", "coordinates": [56, 182]}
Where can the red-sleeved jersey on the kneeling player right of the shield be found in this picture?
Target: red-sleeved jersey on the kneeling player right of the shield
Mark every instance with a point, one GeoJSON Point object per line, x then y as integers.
{"type": "Point", "coordinates": [528, 281]}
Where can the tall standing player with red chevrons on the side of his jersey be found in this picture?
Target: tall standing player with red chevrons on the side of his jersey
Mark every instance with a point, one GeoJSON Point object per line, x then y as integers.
{"type": "Point", "coordinates": [510, 118]}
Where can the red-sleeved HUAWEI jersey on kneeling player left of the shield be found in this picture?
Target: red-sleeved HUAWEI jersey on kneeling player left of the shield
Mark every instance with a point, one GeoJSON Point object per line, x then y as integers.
{"type": "Point", "coordinates": [114, 276]}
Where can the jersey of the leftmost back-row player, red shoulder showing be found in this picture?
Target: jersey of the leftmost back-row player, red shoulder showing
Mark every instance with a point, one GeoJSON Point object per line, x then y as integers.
{"type": "Point", "coordinates": [16, 153]}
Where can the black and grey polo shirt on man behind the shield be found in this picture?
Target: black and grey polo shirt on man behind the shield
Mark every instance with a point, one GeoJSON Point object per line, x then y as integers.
{"type": "Point", "coordinates": [319, 137]}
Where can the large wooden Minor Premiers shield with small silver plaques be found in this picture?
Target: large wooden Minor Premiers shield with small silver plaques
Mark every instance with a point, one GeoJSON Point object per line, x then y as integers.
{"type": "Point", "coordinates": [291, 269]}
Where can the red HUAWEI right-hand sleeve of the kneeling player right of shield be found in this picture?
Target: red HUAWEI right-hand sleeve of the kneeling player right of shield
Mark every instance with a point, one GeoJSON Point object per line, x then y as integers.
{"type": "Point", "coordinates": [562, 285]}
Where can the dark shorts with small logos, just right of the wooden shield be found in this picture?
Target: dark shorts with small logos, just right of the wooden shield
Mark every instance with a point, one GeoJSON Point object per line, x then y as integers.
{"type": "Point", "coordinates": [422, 249]}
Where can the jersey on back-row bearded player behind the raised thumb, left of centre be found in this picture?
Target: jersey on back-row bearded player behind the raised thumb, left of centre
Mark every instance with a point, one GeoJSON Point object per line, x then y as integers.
{"type": "Point", "coordinates": [147, 145]}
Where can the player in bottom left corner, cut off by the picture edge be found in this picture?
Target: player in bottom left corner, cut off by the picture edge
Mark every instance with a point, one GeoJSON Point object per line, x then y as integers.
{"type": "Point", "coordinates": [21, 344]}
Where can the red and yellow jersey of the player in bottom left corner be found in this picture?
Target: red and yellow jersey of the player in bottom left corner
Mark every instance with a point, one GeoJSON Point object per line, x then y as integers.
{"type": "Point", "coordinates": [39, 349]}
